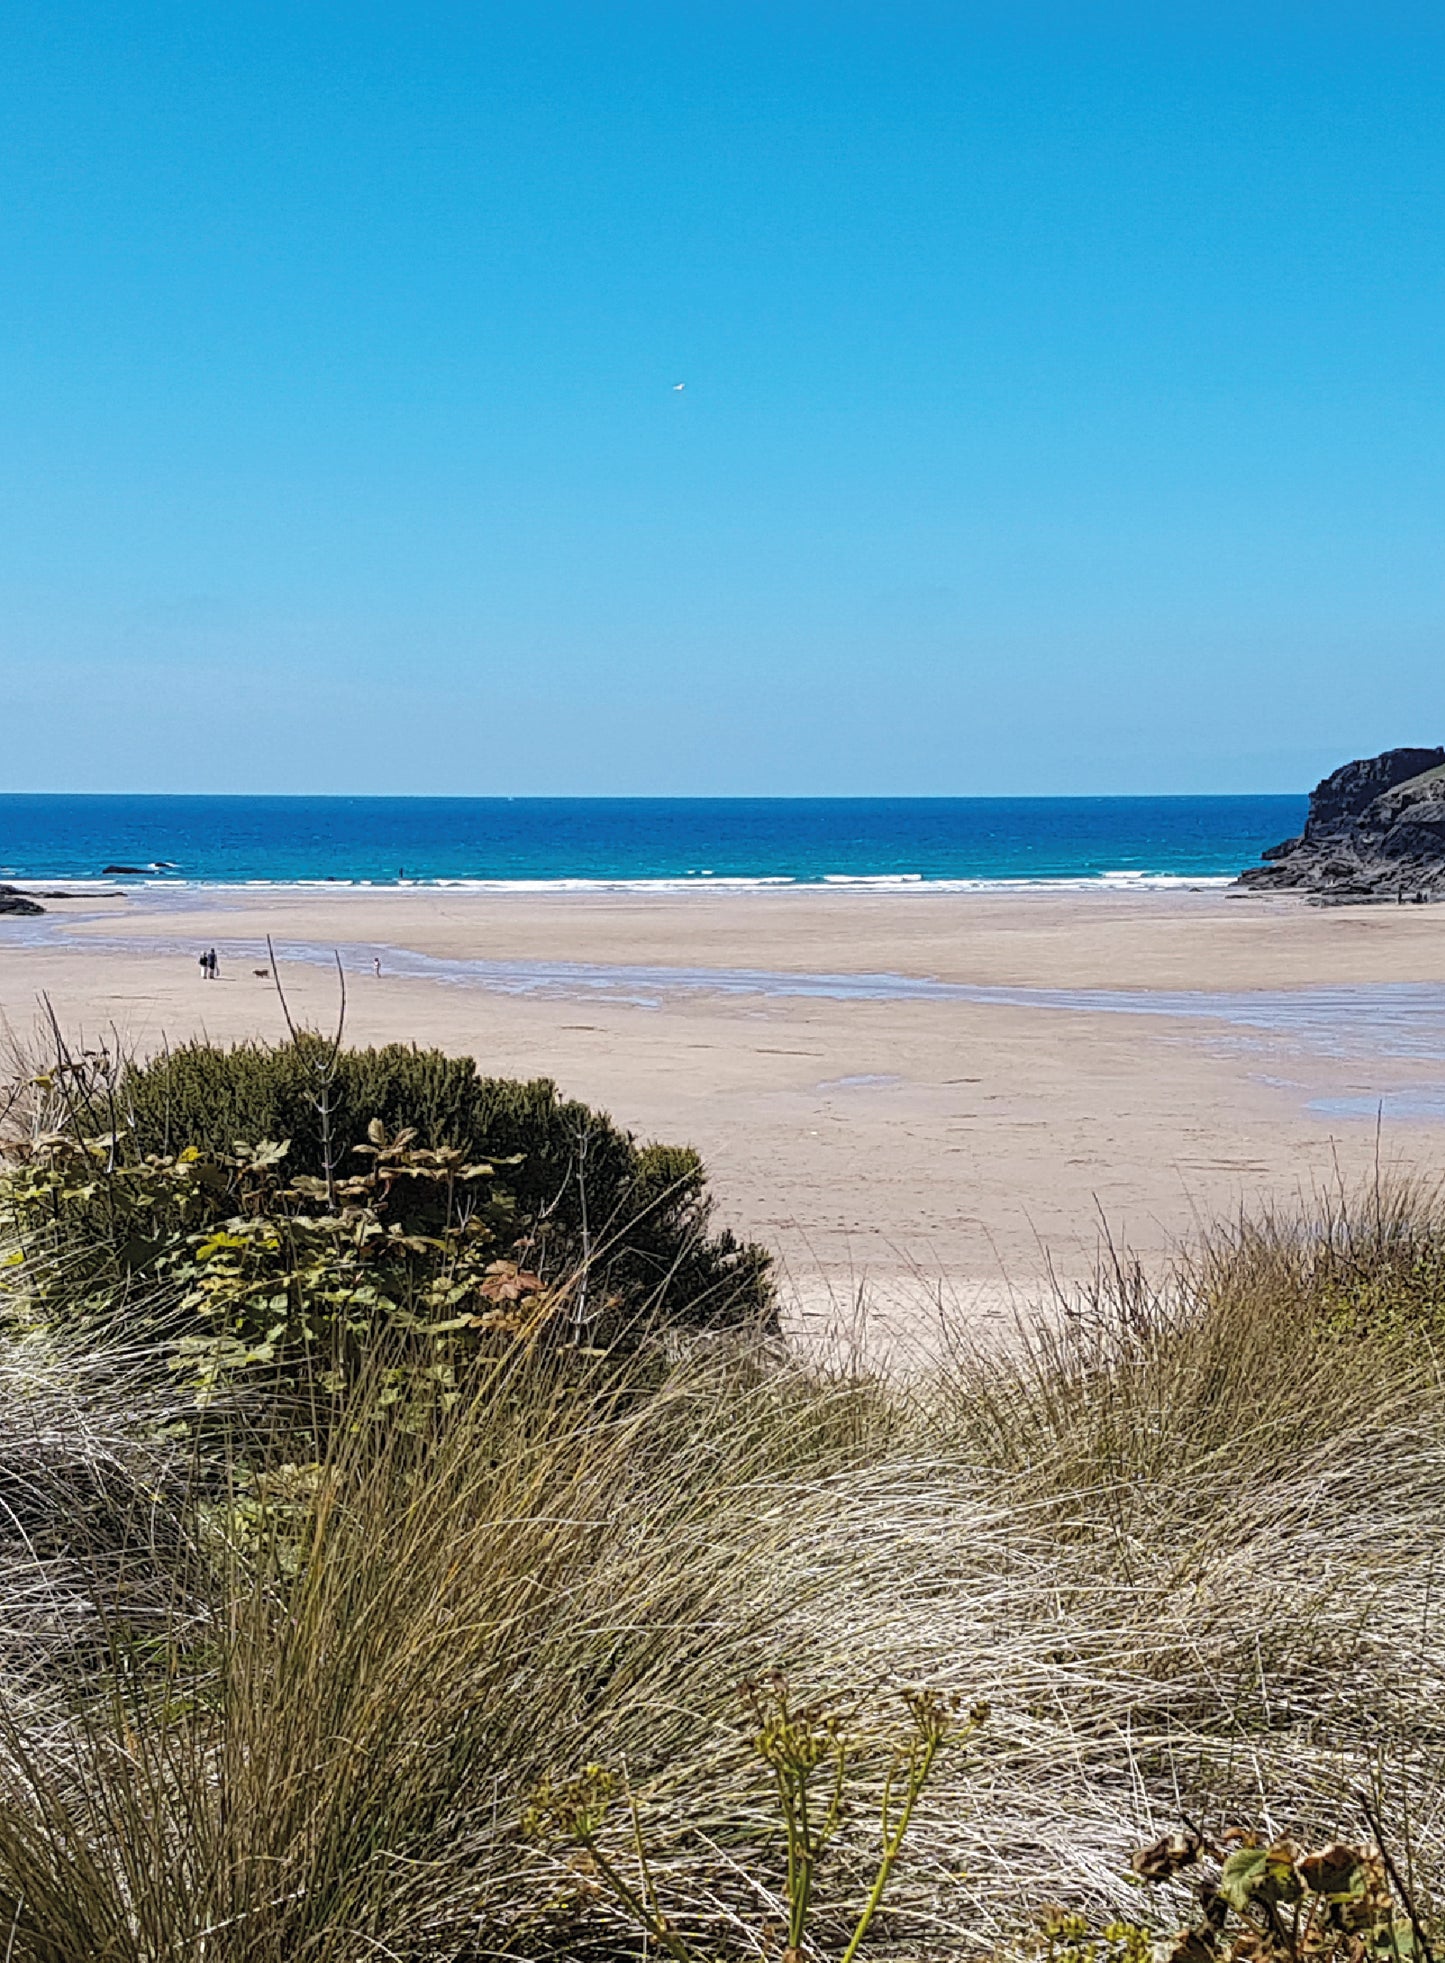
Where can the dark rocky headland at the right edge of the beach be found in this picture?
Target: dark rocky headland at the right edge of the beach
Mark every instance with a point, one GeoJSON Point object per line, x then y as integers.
{"type": "Point", "coordinates": [1375, 831]}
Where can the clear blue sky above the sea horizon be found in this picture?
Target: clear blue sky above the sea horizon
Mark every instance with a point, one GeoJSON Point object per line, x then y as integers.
{"type": "Point", "coordinates": [1065, 396]}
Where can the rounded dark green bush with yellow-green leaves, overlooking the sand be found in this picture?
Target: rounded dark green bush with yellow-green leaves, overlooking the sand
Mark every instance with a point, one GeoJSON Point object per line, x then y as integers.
{"type": "Point", "coordinates": [301, 1198]}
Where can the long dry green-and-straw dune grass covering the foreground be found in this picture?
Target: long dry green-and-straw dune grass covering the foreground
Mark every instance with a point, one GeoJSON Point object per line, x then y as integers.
{"type": "Point", "coordinates": [1183, 1542]}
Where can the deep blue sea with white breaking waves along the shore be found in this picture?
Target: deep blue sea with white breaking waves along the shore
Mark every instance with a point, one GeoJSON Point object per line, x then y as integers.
{"type": "Point", "coordinates": [545, 841]}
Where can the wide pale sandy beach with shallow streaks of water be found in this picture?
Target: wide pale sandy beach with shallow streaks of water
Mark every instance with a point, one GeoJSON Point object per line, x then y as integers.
{"type": "Point", "coordinates": [918, 1090]}
